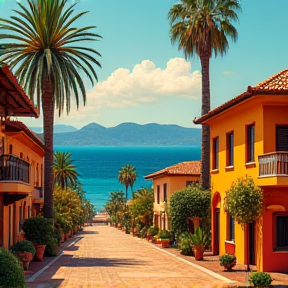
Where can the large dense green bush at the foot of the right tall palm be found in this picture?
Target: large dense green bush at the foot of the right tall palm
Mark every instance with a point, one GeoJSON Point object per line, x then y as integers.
{"type": "Point", "coordinates": [190, 202]}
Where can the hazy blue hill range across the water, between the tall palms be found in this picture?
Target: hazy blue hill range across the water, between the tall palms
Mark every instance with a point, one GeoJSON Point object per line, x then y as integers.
{"type": "Point", "coordinates": [129, 134]}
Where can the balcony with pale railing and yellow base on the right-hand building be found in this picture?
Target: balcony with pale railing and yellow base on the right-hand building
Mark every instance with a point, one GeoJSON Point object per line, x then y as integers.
{"type": "Point", "coordinates": [275, 167]}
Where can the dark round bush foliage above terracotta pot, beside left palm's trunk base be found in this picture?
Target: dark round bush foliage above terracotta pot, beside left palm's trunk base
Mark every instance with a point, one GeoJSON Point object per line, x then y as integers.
{"type": "Point", "coordinates": [38, 229]}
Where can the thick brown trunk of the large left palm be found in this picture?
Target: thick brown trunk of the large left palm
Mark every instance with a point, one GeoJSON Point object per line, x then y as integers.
{"type": "Point", "coordinates": [48, 123]}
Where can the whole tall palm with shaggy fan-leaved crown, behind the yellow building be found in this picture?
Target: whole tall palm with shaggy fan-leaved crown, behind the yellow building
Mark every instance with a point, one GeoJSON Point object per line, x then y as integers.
{"type": "Point", "coordinates": [201, 27]}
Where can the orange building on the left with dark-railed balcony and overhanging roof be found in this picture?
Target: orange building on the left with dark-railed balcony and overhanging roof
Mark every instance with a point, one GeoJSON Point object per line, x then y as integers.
{"type": "Point", "coordinates": [21, 161]}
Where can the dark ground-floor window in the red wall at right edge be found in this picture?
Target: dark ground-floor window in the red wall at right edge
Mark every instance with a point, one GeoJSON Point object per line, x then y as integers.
{"type": "Point", "coordinates": [281, 233]}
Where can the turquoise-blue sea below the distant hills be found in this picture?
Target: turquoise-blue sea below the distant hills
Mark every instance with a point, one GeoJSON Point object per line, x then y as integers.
{"type": "Point", "coordinates": [99, 166]}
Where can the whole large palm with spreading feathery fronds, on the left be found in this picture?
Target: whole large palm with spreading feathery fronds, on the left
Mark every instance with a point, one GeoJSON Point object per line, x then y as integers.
{"type": "Point", "coordinates": [47, 59]}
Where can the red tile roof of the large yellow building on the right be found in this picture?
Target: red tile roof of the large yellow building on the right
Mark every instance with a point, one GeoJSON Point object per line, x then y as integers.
{"type": "Point", "coordinates": [275, 85]}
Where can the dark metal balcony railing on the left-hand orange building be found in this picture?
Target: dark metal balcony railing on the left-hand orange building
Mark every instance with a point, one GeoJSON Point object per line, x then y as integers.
{"type": "Point", "coordinates": [13, 168]}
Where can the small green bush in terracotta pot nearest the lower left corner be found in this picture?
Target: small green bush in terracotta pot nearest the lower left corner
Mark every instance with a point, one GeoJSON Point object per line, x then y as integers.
{"type": "Point", "coordinates": [25, 251]}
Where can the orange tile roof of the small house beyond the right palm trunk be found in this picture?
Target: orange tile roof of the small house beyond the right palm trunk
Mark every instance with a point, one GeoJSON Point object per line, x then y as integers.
{"type": "Point", "coordinates": [183, 168]}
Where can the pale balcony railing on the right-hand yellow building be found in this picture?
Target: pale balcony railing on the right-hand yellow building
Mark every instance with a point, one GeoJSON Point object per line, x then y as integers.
{"type": "Point", "coordinates": [273, 164]}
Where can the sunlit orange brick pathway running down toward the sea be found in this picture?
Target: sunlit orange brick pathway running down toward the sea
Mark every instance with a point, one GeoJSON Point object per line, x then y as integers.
{"type": "Point", "coordinates": [107, 257]}
